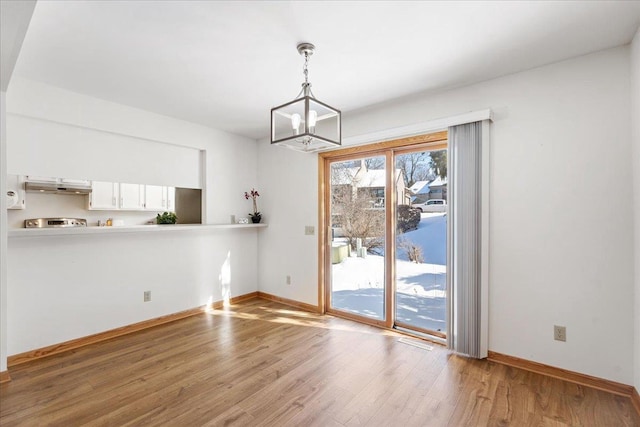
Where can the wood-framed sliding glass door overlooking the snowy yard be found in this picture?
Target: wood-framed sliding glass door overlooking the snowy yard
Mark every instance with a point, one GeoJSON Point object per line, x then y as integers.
{"type": "Point", "coordinates": [384, 211]}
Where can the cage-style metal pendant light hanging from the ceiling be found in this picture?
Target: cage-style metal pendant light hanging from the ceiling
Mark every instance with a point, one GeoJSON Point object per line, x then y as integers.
{"type": "Point", "coordinates": [306, 124]}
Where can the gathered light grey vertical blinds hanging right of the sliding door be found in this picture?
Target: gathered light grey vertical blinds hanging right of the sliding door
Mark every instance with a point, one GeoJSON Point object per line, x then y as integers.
{"type": "Point", "coordinates": [467, 245]}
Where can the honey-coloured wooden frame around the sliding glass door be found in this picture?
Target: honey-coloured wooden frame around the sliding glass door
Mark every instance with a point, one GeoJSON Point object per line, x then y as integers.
{"type": "Point", "coordinates": [431, 141]}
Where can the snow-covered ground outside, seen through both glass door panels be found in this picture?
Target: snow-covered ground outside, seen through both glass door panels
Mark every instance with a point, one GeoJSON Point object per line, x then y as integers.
{"type": "Point", "coordinates": [357, 283]}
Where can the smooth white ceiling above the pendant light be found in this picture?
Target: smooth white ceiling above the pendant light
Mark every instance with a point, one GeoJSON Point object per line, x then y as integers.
{"type": "Point", "coordinates": [225, 64]}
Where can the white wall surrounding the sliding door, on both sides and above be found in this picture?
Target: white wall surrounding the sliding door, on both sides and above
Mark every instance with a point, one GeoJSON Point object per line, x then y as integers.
{"type": "Point", "coordinates": [560, 140]}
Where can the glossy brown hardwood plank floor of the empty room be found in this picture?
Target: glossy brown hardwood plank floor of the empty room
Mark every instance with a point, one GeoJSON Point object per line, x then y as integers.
{"type": "Point", "coordinates": [260, 363]}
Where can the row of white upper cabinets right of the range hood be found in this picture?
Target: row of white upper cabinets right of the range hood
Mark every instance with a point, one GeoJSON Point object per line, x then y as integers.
{"type": "Point", "coordinates": [138, 197]}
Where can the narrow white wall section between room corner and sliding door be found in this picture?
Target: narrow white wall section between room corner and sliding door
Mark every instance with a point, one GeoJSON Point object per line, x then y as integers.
{"type": "Point", "coordinates": [289, 193]}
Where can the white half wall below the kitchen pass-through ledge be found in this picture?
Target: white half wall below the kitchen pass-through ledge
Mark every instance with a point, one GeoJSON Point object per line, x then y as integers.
{"type": "Point", "coordinates": [95, 283]}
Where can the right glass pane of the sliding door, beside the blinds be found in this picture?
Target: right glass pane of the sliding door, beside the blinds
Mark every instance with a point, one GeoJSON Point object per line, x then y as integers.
{"type": "Point", "coordinates": [421, 240]}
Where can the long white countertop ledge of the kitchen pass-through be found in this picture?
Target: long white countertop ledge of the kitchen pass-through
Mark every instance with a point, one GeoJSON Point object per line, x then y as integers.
{"type": "Point", "coordinates": [151, 228]}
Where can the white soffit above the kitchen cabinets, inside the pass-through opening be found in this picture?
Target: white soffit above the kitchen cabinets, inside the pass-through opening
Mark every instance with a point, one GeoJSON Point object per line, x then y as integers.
{"type": "Point", "coordinates": [71, 150]}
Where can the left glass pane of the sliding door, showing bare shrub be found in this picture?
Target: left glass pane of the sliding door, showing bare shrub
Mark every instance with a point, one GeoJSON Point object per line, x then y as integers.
{"type": "Point", "coordinates": [358, 237]}
